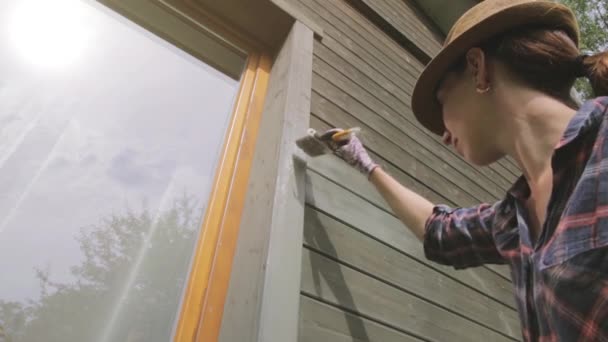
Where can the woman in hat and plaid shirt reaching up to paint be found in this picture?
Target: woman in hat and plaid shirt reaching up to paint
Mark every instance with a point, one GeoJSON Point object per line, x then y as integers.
{"type": "Point", "coordinates": [501, 86]}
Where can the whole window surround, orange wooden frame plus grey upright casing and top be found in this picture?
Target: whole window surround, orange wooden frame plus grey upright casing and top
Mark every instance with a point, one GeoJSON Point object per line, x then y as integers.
{"type": "Point", "coordinates": [270, 205]}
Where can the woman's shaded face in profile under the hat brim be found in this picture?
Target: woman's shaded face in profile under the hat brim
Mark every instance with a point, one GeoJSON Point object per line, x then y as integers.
{"type": "Point", "coordinates": [467, 115]}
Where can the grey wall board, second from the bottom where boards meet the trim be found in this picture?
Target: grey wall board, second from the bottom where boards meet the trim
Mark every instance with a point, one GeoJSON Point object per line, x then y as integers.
{"type": "Point", "coordinates": [347, 288]}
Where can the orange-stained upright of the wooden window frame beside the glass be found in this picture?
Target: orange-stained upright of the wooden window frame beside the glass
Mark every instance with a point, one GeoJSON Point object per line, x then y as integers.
{"type": "Point", "coordinates": [203, 301]}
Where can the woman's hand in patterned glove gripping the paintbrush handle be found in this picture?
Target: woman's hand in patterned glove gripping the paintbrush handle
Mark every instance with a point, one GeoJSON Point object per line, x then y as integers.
{"type": "Point", "coordinates": [351, 151]}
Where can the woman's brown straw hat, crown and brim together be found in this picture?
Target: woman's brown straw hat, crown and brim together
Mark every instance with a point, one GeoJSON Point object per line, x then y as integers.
{"type": "Point", "coordinates": [486, 19]}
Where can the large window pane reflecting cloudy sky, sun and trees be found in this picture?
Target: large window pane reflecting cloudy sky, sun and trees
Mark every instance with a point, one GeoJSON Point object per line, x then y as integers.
{"type": "Point", "coordinates": [109, 140]}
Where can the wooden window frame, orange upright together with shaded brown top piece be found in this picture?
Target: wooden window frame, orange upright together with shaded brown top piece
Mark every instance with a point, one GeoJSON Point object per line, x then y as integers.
{"type": "Point", "coordinates": [200, 313]}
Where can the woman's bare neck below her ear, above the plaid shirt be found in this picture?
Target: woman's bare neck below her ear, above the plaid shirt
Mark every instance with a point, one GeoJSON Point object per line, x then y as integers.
{"type": "Point", "coordinates": [537, 123]}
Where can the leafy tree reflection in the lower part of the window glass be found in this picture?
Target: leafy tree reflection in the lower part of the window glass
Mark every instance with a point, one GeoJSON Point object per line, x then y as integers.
{"type": "Point", "coordinates": [80, 309]}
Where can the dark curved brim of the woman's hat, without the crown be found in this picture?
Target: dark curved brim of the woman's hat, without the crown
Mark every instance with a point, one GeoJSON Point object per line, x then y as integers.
{"type": "Point", "coordinates": [425, 106]}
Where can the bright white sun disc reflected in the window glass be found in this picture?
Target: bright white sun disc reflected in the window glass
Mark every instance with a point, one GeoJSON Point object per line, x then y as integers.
{"type": "Point", "coordinates": [50, 34]}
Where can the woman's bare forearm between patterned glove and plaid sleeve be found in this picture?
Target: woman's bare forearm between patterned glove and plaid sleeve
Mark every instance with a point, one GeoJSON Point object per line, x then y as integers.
{"type": "Point", "coordinates": [412, 209]}
